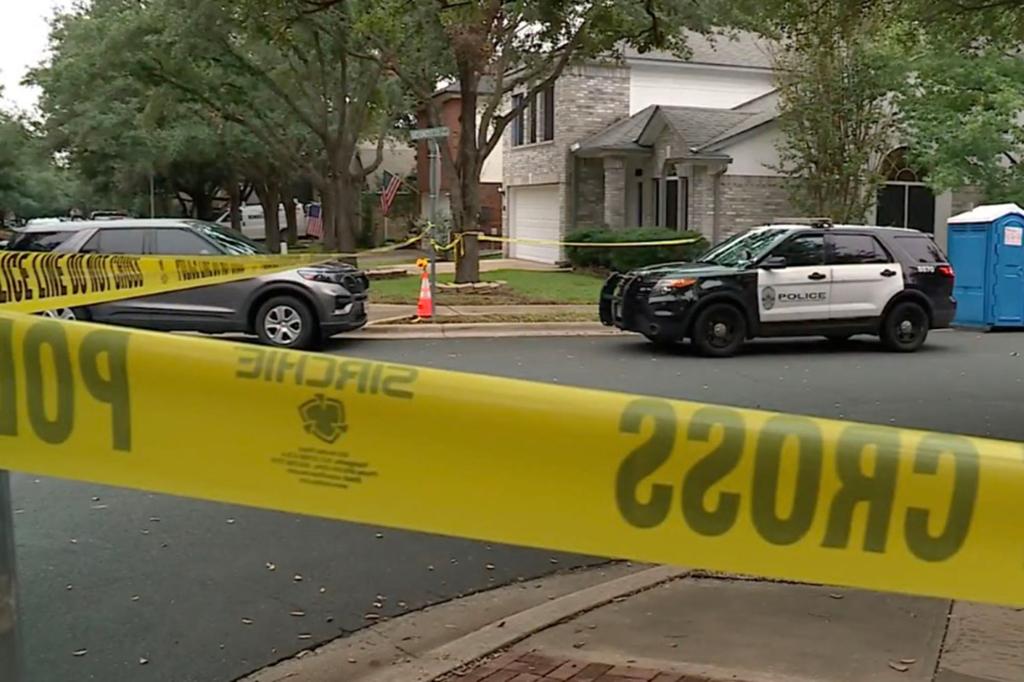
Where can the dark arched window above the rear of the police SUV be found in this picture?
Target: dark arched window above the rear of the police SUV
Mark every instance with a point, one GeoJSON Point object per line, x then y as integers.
{"type": "Point", "coordinates": [905, 201]}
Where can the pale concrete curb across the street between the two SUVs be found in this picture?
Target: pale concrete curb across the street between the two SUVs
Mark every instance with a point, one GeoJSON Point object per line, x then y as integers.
{"type": "Point", "coordinates": [481, 331]}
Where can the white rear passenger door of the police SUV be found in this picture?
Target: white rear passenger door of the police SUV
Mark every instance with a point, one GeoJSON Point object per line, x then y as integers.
{"type": "Point", "coordinates": [866, 277]}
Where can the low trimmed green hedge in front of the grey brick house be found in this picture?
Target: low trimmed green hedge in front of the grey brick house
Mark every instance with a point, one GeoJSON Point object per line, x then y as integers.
{"type": "Point", "coordinates": [622, 260]}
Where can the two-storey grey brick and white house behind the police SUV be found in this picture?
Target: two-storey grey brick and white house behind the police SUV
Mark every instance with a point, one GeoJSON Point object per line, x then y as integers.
{"type": "Point", "coordinates": [687, 145]}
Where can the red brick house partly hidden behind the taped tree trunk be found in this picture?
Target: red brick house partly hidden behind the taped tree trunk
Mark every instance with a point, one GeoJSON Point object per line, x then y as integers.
{"type": "Point", "coordinates": [491, 175]}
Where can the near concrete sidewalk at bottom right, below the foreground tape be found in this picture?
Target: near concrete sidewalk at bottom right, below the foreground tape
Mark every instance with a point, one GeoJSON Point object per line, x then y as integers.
{"type": "Point", "coordinates": [705, 630]}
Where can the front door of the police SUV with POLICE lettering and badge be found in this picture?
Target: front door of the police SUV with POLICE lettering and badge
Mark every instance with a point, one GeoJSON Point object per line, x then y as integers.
{"type": "Point", "coordinates": [802, 290]}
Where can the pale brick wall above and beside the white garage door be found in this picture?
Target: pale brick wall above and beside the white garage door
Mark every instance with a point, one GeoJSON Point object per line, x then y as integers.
{"type": "Point", "coordinates": [588, 99]}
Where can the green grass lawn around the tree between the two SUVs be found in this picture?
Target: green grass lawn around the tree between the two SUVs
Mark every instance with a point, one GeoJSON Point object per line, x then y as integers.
{"type": "Point", "coordinates": [524, 287]}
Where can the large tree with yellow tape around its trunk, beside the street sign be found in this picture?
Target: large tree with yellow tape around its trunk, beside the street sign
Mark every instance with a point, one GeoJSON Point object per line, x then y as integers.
{"type": "Point", "coordinates": [495, 49]}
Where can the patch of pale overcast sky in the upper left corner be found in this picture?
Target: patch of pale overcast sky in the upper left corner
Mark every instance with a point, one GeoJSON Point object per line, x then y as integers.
{"type": "Point", "coordinates": [23, 46]}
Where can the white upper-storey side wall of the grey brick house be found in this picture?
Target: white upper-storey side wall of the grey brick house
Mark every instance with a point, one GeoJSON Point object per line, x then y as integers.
{"type": "Point", "coordinates": [674, 84]}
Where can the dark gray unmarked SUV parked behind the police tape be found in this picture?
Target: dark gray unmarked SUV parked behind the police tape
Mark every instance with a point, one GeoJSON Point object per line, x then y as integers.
{"type": "Point", "coordinates": [292, 310]}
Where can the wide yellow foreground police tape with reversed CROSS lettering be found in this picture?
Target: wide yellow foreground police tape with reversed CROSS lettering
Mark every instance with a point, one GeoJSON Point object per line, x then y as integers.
{"type": "Point", "coordinates": [539, 465]}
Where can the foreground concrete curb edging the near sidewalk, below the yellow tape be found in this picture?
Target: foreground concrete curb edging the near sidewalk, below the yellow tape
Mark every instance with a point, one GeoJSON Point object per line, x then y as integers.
{"type": "Point", "coordinates": [497, 636]}
